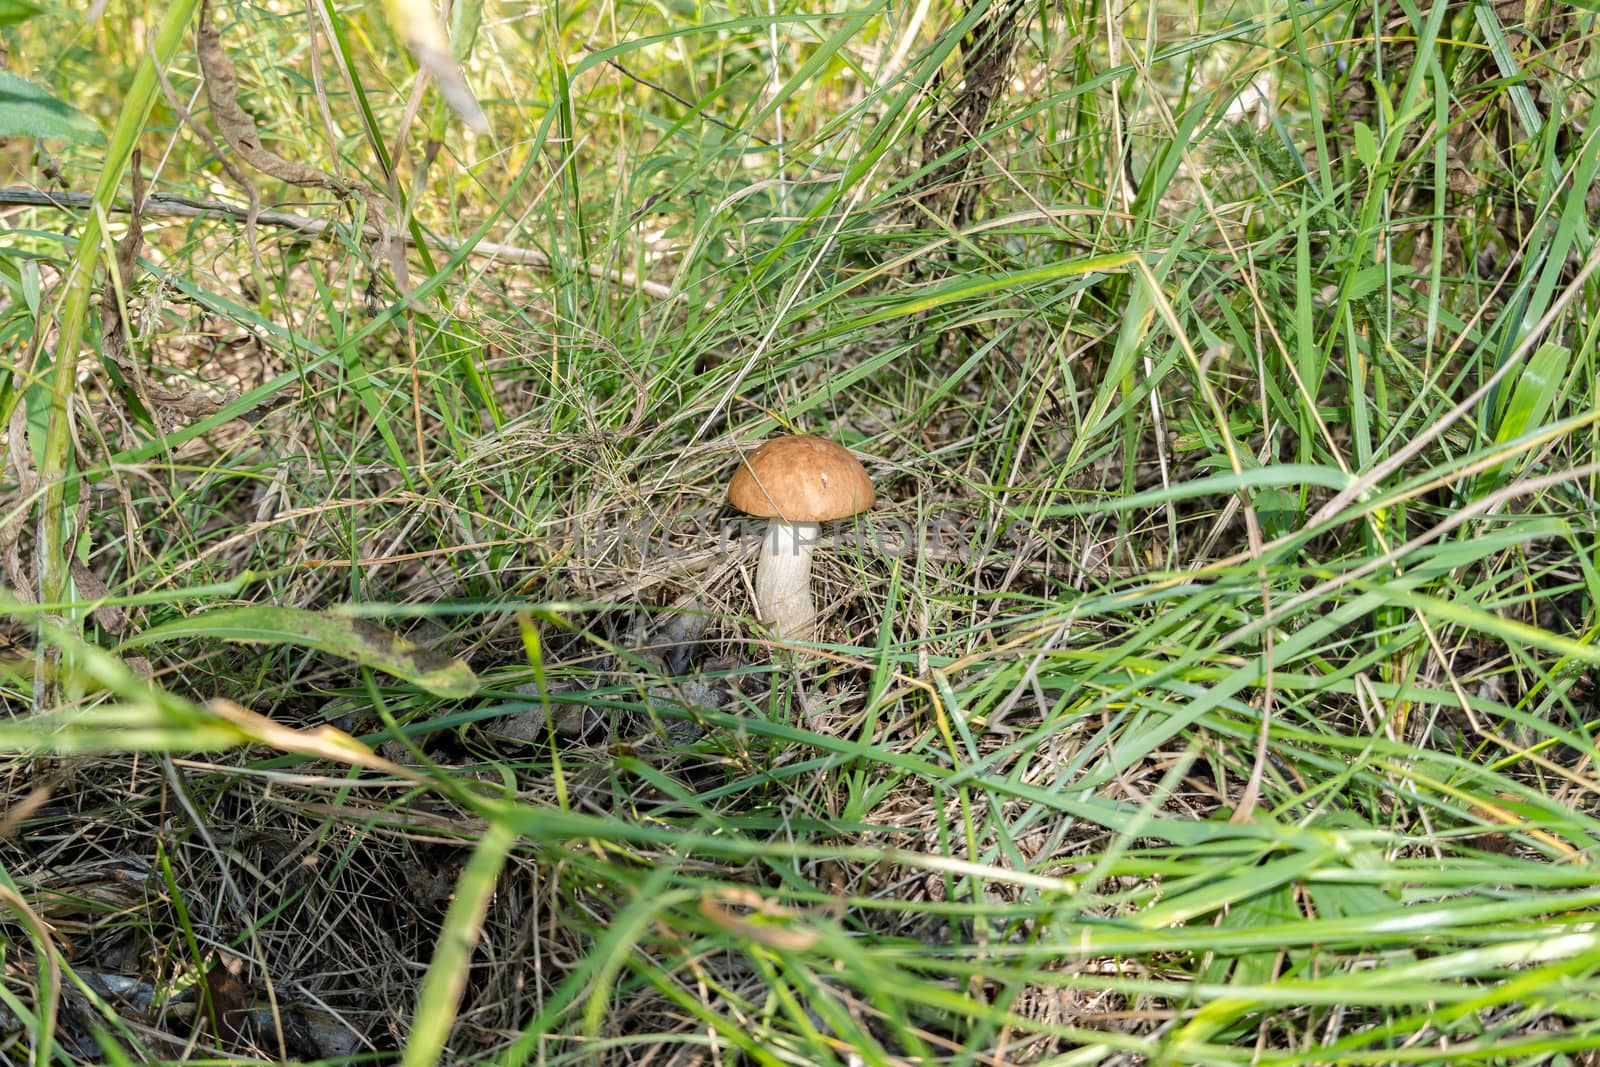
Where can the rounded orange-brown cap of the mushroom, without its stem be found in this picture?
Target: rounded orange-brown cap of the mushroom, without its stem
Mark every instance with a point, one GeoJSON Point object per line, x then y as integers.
{"type": "Point", "coordinates": [801, 481]}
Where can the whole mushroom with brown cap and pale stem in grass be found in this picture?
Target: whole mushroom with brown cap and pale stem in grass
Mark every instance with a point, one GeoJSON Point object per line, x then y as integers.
{"type": "Point", "coordinates": [798, 482]}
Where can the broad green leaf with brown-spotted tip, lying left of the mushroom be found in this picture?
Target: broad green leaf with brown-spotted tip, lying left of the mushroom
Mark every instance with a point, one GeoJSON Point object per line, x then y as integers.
{"type": "Point", "coordinates": [337, 634]}
